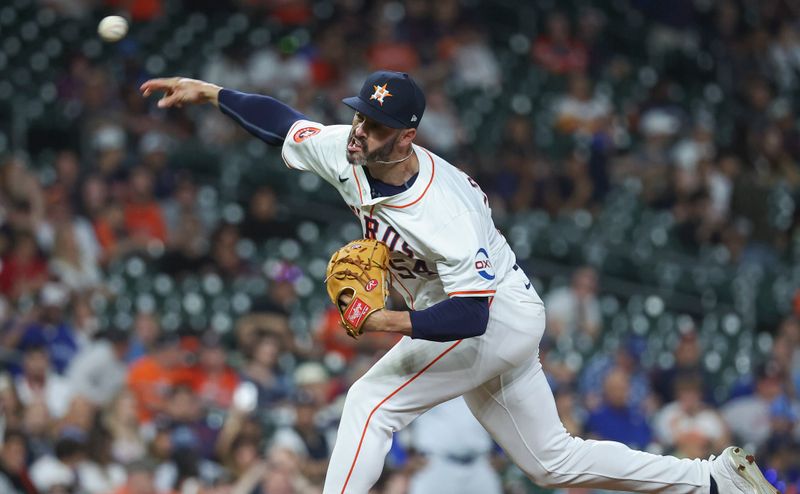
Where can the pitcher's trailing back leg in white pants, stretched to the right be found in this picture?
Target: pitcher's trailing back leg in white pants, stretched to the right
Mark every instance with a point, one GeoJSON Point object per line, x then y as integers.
{"type": "Point", "coordinates": [518, 409]}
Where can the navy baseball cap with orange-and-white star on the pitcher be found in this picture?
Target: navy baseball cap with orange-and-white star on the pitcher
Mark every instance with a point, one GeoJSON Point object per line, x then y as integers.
{"type": "Point", "coordinates": [391, 98]}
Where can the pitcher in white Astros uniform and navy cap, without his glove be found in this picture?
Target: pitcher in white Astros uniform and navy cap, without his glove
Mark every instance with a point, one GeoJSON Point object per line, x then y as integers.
{"type": "Point", "coordinates": [475, 321]}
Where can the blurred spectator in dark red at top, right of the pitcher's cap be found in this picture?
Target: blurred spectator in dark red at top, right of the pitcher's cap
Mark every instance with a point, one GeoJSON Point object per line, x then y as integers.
{"type": "Point", "coordinates": [557, 51]}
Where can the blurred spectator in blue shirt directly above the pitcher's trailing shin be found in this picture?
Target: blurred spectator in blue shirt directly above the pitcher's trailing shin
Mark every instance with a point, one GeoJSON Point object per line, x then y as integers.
{"type": "Point", "coordinates": [614, 420]}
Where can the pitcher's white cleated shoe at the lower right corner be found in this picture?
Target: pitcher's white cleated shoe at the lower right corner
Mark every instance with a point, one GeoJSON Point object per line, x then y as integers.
{"type": "Point", "coordinates": [735, 471]}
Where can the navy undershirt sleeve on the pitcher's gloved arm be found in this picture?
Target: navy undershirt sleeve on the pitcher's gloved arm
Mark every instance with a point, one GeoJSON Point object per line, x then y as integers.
{"type": "Point", "coordinates": [453, 319]}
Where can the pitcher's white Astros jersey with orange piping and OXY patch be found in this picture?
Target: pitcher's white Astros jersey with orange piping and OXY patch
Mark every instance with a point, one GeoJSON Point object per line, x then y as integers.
{"type": "Point", "coordinates": [440, 231]}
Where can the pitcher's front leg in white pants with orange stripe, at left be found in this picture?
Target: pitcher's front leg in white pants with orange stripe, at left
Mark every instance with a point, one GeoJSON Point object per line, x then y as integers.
{"type": "Point", "coordinates": [411, 378]}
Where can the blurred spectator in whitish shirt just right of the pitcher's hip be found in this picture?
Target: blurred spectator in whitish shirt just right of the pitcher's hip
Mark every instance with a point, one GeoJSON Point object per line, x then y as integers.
{"type": "Point", "coordinates": [573, 311]}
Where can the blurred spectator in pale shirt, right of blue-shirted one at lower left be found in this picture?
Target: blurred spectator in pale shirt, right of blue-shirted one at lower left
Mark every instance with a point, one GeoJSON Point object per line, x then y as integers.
{"type": "Point", "coordinates": [98, 372]}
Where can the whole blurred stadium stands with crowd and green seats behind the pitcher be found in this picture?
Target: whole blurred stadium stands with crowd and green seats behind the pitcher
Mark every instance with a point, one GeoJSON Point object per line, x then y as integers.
{"type": "Point", "coordinates": [163, 321]}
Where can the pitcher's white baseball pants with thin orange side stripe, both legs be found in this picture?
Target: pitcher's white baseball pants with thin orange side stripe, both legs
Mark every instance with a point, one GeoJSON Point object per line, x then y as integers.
{"type": "Point", "coordinates": [504, 386]}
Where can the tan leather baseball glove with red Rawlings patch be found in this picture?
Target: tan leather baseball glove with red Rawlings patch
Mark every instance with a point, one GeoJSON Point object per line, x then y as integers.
{"type": "Point", "coordinates": [360, 269]}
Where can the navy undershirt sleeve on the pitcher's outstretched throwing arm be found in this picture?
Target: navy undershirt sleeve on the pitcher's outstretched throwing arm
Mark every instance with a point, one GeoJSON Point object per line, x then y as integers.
{"type": "Point", "coordinates": [263, 116]}
